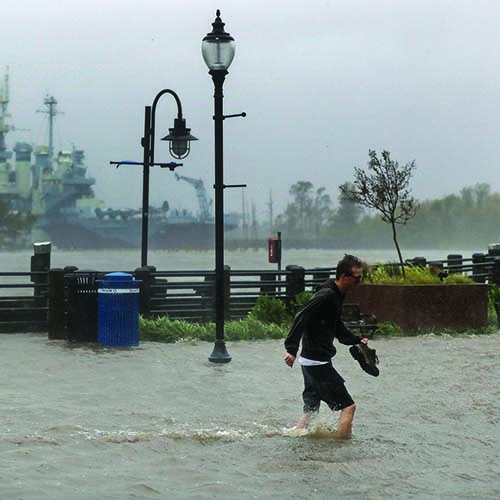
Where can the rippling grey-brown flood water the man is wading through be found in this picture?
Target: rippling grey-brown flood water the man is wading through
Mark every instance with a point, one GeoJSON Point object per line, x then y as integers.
{"type": "Point", "coordinates": [161, 422]}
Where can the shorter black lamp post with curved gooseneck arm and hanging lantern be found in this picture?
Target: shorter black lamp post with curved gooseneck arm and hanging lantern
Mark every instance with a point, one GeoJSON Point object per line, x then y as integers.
{"type": "Point", "coordinates": [179, 138]}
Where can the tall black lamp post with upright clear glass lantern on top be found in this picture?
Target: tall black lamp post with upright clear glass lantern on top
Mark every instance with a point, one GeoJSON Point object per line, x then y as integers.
{"type": "Point", "coordinates": [218, 49]}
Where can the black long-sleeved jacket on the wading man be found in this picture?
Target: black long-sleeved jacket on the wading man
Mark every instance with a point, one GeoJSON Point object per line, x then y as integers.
{"type": "Point", "coordinates": [317, 323]}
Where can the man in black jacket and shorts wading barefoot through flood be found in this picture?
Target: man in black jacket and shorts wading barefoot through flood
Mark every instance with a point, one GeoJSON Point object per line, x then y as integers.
{"type": "Point", "coordinates": [317, 323]}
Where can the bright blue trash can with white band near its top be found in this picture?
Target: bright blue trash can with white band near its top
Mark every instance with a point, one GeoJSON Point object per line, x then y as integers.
{"type": "Point", "coordinates": [118, 311]}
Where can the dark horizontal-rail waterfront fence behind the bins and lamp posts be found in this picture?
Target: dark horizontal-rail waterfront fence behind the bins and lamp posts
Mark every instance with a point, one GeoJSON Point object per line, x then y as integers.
{"type": "Point", "coordinates": [46, 301]}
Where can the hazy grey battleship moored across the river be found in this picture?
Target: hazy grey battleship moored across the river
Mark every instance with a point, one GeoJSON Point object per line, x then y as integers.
{"type": "Point", "coordinates": [57, 190]}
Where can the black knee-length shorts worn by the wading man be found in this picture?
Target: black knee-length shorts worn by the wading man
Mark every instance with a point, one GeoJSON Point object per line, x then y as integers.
{"type": "Point", "coordinates": [323, 383]}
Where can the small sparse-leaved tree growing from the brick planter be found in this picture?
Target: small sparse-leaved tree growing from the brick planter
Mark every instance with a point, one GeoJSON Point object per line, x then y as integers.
{"type": "Point", "coordinates": [384, 188]}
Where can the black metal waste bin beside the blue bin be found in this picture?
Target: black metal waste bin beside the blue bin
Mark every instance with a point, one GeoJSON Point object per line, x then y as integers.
{"type": "Point", "coordinates": [81, 319]}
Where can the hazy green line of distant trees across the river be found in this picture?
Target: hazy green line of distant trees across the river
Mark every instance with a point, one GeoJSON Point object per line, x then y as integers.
{"type": "Point", "coordinates": [467, 219]}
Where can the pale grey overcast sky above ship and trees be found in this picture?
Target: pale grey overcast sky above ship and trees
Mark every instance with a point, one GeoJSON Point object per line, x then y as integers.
{"type": "Point", "coordinates": [322, 82]}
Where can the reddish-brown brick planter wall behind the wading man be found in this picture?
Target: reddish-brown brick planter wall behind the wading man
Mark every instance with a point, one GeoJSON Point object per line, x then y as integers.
{"type": "Point", "coordinates": [424, 307]}
